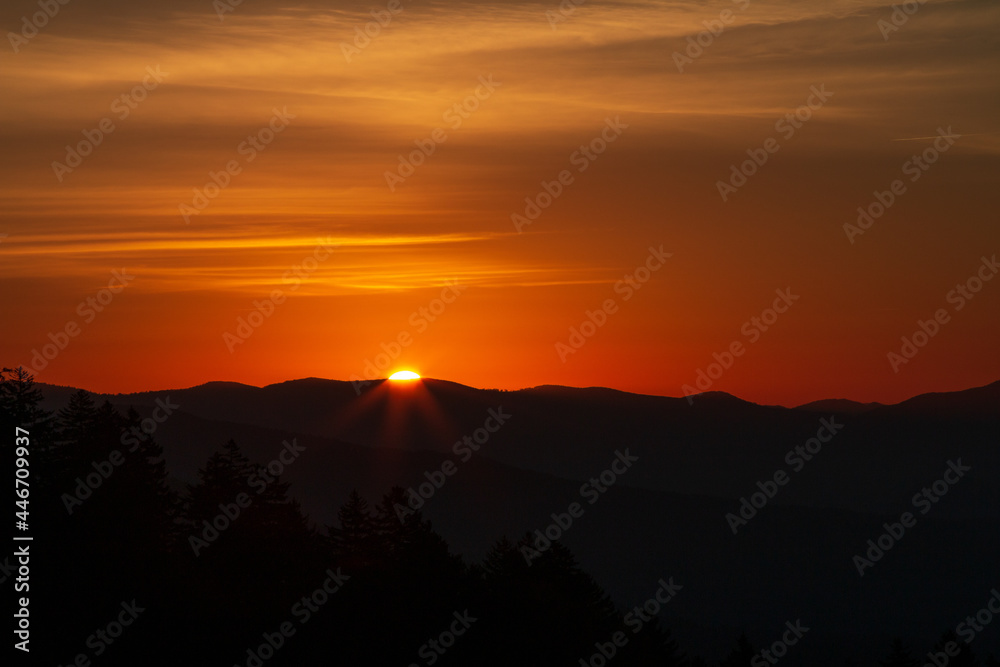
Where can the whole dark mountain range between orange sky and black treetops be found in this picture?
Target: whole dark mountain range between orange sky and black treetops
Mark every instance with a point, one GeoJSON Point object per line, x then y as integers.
{"type": "Point", "coordinates": [836, 471]}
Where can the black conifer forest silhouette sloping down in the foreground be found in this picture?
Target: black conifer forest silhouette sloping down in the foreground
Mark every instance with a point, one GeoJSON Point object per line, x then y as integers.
{"type": "Point", "coordinates": [263, 586]}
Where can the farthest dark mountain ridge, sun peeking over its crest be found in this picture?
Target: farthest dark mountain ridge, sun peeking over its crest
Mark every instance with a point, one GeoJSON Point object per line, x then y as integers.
{"type": "Point", "coordinates": [718, 446]}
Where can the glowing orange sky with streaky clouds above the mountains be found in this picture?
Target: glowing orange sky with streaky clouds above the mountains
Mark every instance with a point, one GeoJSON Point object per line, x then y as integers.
{"type": "Point", "coordinates": [503, 194]}
